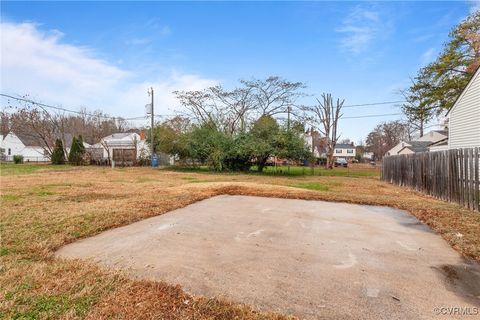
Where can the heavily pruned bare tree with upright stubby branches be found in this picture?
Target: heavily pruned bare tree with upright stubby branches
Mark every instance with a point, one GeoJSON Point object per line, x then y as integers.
{"type": "Point", "coordinates": [326, 115]}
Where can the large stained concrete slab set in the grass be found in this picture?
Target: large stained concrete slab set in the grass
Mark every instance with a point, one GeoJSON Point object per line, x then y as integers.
{"type": "Point", "coordinates": [311, 259]}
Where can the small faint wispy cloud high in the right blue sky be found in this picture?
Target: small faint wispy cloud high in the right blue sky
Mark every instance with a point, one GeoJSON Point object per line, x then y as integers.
{"type": "Point", "coordinates": [360, 28]}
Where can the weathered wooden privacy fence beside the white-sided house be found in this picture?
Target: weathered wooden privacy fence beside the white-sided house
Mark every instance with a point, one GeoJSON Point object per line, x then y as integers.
{"type": "Point", "coordinates": [451, 175]}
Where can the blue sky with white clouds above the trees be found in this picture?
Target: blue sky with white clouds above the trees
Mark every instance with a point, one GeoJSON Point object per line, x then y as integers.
{"type": "Point", "coordinates": [104, 55]}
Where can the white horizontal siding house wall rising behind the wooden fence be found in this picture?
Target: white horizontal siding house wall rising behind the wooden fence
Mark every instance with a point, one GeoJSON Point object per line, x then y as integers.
{"type": "Point", "coordinates": [464, 117]}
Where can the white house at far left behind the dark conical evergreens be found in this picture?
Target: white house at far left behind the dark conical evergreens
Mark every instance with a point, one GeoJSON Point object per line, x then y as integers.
{"type": "Point", "coordinates": [24, 145]}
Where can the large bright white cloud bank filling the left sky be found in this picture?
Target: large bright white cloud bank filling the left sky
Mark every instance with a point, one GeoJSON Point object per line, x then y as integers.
{"type": "Point", "coordinates": [39, 64]}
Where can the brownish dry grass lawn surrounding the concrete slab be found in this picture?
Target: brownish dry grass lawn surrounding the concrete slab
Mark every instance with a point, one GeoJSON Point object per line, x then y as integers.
{"type": "Point", "coordinates": [49, 206]}
